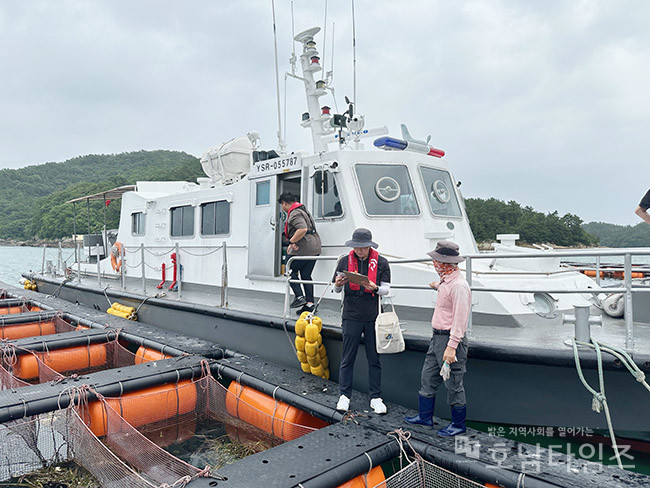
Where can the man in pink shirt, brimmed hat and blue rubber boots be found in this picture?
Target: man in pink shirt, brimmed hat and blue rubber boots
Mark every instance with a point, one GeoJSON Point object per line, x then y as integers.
{"type": "Point", "coordinates": [448, 344]}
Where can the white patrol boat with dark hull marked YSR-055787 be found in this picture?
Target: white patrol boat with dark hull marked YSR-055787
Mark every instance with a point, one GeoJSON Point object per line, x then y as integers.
{"type": "Point", "coordinates": [207, 259]}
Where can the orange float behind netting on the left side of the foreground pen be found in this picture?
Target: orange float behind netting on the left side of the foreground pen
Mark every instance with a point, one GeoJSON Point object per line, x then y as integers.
{"type": "Point", "coordinates": [144, 407]}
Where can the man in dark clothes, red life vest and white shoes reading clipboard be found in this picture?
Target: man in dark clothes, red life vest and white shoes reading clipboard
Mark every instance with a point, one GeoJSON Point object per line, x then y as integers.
{"type": "Point", "coordinates": [360, 310]}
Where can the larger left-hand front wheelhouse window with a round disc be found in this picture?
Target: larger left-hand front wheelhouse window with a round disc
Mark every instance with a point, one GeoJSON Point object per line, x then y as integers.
{"type": "Point", "coordinates": [386, 189]}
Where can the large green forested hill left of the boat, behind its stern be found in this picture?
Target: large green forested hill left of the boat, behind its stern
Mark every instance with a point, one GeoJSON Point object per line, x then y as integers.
{"type": "Point", "coordinates": [32, 199]}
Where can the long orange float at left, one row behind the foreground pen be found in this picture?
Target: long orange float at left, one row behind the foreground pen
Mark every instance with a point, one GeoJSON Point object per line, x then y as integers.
{"type": "Point", "coordinates": [60, 360]}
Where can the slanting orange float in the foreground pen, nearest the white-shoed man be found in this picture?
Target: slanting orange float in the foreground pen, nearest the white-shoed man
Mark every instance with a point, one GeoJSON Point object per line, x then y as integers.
{"type": "Point", "coordinates": [267, 414]}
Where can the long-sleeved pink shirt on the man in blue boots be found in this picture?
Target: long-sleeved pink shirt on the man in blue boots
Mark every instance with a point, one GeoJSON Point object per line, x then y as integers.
{"type": "Point", "coordinates": [453, 307]}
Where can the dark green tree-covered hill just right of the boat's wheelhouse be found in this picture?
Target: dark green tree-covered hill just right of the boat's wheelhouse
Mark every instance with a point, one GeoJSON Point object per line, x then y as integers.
{"type": "Point", "coordinates": [489, 217]}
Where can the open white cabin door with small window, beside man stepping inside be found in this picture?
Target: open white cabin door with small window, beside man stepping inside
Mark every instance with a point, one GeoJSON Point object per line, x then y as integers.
{"type": "Point", "coordinates": [266, 223]}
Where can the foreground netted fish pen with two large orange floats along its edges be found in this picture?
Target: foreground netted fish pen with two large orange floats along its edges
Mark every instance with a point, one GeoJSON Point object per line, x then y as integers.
{"type": "Point", "coordinates": [161, 434]}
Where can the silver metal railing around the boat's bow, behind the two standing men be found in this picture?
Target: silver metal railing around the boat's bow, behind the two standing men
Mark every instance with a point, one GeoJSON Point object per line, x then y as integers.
{"type": "Point", "coordinates": [626, 289]}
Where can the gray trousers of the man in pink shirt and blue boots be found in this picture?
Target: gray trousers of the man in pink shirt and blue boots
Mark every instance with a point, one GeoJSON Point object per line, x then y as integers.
{"type": "Point", "coordinates": [431, 379]}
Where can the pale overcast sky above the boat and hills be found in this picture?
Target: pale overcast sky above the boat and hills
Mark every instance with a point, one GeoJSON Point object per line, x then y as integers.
{"type": "Point", "coordinates": [542, 102]}
